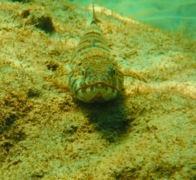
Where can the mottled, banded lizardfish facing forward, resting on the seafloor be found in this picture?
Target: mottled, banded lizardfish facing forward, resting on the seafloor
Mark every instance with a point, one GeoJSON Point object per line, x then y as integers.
{"type": "Point", "coordinates": [95, 77]}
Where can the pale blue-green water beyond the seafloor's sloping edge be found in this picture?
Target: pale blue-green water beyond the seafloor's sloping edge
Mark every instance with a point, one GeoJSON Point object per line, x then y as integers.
{"type": "Point", "coordinates": [175, 16]}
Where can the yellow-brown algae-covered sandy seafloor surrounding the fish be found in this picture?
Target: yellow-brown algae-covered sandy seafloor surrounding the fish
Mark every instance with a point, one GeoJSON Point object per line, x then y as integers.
{"type": "Point", "coordinates": [45, 133]}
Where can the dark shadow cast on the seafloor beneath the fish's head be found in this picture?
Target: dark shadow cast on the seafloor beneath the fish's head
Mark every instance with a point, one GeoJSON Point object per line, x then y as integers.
{"type": "Point", "coordinates": [108, 118]}
